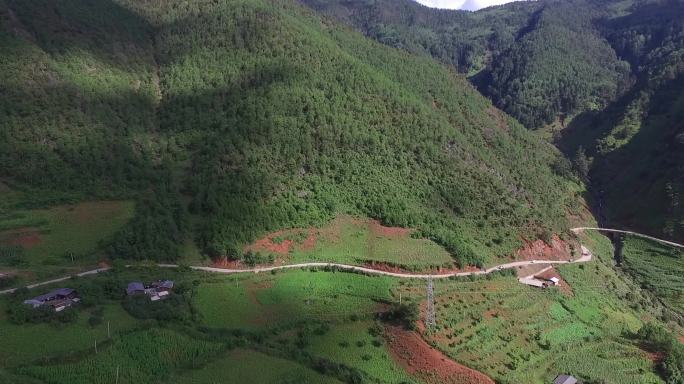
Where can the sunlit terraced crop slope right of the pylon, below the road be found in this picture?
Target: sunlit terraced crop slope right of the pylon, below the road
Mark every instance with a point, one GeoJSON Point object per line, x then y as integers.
{"type": "Point", "coordinates": [521, 334]}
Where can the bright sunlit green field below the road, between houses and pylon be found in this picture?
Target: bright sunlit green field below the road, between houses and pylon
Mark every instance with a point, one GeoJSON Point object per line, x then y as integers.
{"type": "Point", "coordinates": [267, 300]}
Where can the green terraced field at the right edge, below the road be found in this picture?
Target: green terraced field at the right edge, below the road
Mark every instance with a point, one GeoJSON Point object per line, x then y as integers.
{"type": "Point", "coordinates": [658, 268]}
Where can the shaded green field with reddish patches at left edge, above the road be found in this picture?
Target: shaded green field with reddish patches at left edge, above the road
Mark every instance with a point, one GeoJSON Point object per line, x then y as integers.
{"type": "Point", "coordinates": [51, 237]}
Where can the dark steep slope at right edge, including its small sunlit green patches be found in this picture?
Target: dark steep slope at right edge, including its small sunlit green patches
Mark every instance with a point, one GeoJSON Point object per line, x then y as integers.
{"type": "Point", "coordinates": [637, 142]}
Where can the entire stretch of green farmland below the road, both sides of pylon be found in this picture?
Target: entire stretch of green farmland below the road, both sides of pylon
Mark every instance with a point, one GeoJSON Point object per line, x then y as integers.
{"type": "Point", "coordinates": [323, 326]}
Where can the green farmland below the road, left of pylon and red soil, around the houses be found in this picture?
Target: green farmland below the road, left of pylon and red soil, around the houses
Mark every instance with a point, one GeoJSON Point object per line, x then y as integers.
{"type": "Point", "coordinates": [293, 322]}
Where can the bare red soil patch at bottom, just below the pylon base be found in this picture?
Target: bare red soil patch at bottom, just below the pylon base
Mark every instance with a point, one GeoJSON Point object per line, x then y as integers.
{"type": "Point", "coordinates": [421, 360]}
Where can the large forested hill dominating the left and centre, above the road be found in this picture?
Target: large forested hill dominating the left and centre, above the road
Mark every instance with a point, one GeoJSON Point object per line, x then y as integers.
{"type": "Point", "coordinates": [227, 119]}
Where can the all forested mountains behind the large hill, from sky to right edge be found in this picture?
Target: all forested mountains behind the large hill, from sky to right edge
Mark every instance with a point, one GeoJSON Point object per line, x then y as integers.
{"type": "Point", "coordinates": [610, 70]}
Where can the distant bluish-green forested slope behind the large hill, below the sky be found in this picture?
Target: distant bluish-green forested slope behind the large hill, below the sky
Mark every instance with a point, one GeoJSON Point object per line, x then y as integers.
{"type": "Point", "coordinates": [538, 61]}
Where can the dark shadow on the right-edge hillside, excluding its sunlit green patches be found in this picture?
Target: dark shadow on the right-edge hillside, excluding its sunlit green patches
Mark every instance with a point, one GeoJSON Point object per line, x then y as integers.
{"type": "Point", "coordinates": [634, 175]}
